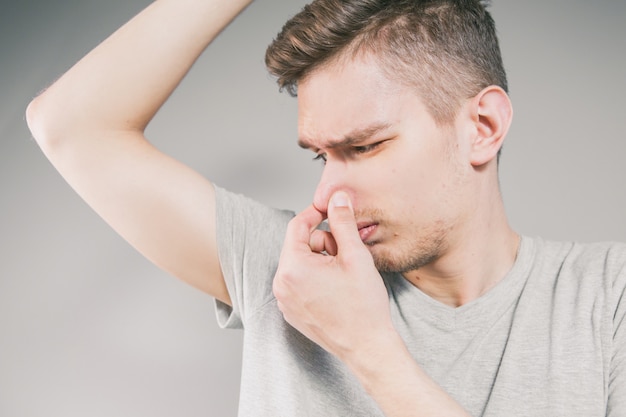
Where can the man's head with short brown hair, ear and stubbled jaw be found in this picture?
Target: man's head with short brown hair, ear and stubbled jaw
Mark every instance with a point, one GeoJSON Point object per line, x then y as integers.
{"type": "Point", "coordinates": [407, 116]}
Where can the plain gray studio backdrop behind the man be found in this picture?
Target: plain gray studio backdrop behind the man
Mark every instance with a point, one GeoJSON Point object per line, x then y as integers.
{"type": "Point", "coordinates": [90, 328]}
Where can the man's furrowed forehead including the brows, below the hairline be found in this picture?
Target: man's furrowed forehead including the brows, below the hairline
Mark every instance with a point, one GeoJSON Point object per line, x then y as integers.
{"type": "Point", "coordinates": [350, 101]}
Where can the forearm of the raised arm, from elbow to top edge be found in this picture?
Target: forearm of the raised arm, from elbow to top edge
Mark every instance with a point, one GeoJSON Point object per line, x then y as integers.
{"type": "Point", "coordinates": [122, 83]}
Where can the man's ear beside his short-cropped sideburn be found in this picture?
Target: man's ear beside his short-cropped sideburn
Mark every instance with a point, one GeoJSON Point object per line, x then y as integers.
{"type": "Point", "coordinates": [491, 113]}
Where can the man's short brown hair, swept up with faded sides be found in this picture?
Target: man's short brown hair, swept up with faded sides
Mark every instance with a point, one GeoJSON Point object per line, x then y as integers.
{"type": "Point", "coordinates": [447, 49]}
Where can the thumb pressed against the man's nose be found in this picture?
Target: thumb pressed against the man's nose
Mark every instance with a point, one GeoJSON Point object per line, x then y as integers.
{"type": "Point", "coordinates": [342, 223]}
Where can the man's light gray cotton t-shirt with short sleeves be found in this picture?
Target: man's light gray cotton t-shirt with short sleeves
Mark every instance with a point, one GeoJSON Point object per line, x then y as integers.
{"type": "Point", "coordinates": [546, 341]}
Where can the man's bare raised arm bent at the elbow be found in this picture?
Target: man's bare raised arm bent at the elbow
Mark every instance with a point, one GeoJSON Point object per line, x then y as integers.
{"type": "Point", "coordinates": [90, 125]}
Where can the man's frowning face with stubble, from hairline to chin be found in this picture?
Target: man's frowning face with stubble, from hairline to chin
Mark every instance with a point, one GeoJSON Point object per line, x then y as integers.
{"type": "Point", "coordinates": [405, 175]}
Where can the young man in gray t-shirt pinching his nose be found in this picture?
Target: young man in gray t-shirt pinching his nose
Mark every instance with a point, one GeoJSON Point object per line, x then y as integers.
{"type": "Point", "coordinates": [420, 299]}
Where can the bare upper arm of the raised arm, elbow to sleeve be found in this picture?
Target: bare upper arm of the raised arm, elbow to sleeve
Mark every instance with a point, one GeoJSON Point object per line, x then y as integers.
{"type": "Point", "coordinates": [163, 208]}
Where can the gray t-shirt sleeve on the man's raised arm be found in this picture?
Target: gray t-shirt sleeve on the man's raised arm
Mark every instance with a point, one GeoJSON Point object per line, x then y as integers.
{"type": "Point", "coordinates": [250, 236]}
